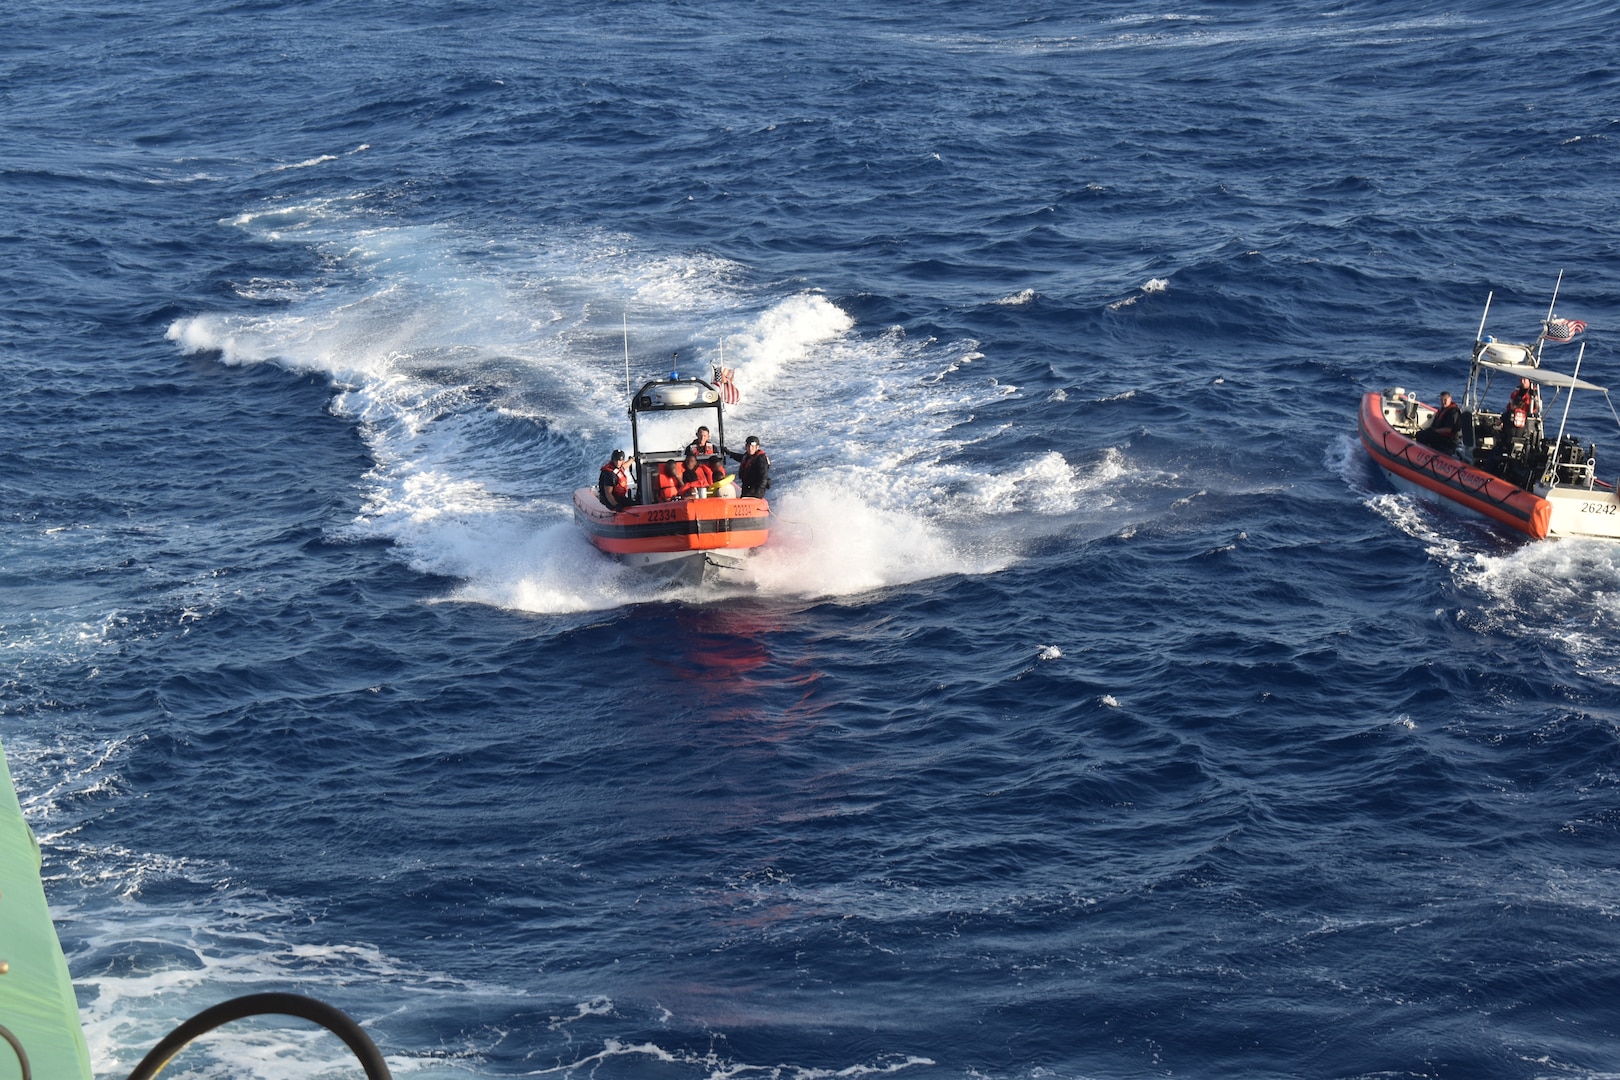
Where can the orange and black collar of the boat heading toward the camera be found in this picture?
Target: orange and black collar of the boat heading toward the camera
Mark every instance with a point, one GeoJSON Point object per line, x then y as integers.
{"type": "Point", "coordinates": [675, 529]}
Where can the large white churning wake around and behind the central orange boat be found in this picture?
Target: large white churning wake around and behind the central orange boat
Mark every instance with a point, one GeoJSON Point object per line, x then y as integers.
{"type": "Point", "coordinates": [487, 393]}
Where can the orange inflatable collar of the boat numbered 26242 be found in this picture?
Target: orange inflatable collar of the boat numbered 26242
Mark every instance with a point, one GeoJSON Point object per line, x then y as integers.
{"type": "Point", "coordinates": [1451, 478]}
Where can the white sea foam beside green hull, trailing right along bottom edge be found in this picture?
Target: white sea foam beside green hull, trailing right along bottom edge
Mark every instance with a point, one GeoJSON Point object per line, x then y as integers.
{"type": "Point", "coordinates": [145, 966]}
